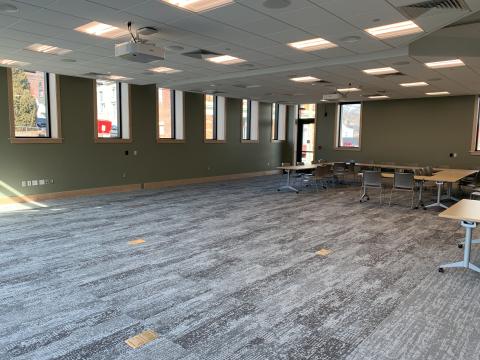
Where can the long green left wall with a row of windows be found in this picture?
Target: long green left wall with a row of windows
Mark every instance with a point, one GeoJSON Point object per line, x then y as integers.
{"type": "Point", "coordinates": [79, 163]}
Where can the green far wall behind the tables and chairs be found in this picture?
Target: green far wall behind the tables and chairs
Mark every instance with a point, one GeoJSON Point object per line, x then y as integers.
{"type": "Point", "coordinates": [423, 131]}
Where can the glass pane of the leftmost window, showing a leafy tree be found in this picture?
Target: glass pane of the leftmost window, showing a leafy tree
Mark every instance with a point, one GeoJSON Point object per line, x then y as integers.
{"type": "Point", "coordinates": [30, 103]}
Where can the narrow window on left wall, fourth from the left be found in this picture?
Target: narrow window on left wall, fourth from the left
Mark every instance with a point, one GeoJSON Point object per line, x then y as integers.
{"type": "Point", "coordinates": [214, 118]}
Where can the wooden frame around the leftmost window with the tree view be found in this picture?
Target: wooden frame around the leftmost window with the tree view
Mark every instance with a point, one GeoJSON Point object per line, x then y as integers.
{"type": "Point", "coordinates": [11, 113]}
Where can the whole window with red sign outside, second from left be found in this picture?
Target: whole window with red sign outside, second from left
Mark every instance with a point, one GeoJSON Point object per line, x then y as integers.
{"type": "Point", "coordinates": [112, 111]}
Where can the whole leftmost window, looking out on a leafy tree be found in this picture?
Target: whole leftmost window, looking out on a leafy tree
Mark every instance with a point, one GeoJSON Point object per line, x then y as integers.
{"type": "Point", "coordinates": [33, 106]}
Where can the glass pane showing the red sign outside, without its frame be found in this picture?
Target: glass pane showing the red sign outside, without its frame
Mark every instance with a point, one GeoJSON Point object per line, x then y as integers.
{"type": "Point", "coordinates": [108, 109]}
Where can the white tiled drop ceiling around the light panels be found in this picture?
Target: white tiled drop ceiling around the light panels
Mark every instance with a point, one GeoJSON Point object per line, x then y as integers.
{"type": "Point", "coordinates": [251, 31]}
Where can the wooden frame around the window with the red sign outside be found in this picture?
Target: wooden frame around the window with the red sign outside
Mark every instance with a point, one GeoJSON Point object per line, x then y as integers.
{"type": "Point", "coordinates": [121, 139]}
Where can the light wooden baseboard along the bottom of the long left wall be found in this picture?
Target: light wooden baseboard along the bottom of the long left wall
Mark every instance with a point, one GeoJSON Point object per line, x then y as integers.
{"type": "Point", "coordinates": [130, 187]}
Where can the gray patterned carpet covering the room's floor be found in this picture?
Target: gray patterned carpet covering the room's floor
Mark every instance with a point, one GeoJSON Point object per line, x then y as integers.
{"type": "Point", "coordinates": [229, 271]}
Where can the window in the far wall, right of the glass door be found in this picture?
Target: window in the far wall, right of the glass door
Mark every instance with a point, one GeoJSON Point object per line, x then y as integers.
{"type": "Point", "coordinates": [349, 126]}
